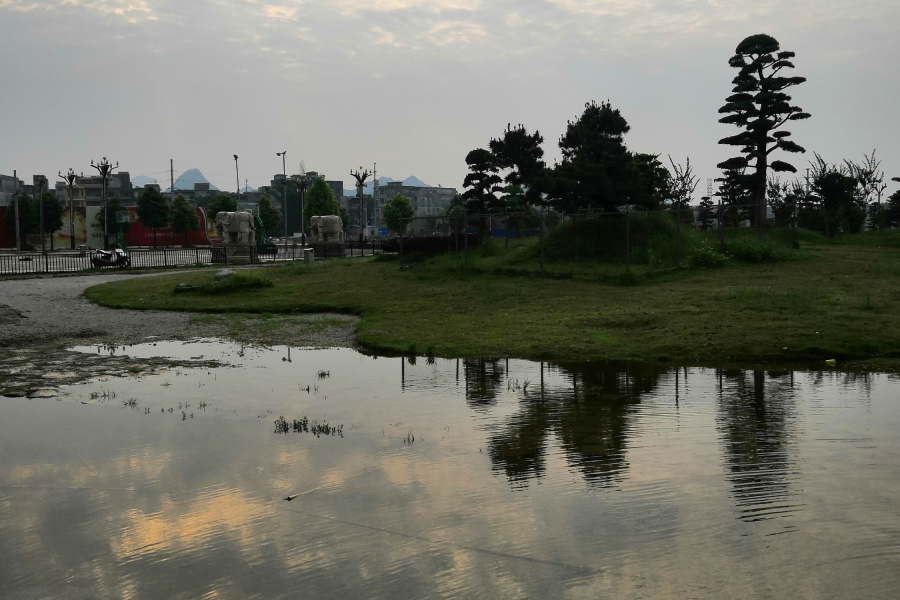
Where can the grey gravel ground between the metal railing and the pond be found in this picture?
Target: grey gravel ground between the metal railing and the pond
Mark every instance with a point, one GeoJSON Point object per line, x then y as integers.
{"type": "Point", "coordinates": [51, 311]}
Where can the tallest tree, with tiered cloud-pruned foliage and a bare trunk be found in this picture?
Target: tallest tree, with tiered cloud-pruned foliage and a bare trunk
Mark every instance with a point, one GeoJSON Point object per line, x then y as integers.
{"type": "Point", "coordinates": [760, 106]}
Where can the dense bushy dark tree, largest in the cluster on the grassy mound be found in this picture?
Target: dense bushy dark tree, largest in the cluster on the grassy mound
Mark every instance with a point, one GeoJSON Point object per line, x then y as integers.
{"type": "Point", "coordinates": [595, 159]}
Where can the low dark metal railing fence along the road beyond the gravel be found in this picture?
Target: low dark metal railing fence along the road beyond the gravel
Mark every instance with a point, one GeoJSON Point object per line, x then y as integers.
{"type": "Point", "coordinates": [24, 263]}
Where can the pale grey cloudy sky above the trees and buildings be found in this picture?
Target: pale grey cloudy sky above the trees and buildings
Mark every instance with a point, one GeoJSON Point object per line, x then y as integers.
{"type": "Point", "coordinates": [414, 85]}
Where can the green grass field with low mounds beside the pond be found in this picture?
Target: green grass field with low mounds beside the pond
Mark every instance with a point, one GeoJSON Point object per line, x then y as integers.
{"type": "Point", "coordinates": [831, 299]}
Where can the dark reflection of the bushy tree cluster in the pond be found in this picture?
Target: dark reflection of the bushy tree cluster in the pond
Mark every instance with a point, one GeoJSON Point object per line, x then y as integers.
{"type": "Point", "coordinates": [587, 408]}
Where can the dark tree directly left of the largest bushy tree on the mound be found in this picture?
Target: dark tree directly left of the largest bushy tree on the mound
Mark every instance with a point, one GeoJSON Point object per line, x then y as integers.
{"type": "Point", "coordinates": [521, 153]}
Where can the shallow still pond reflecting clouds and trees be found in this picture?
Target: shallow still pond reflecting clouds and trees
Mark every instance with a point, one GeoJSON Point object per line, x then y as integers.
{"type": "Point", "coordinates": [446, 478]}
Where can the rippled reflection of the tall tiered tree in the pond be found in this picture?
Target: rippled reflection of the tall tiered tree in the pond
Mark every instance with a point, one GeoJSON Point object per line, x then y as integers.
{"type": "Point", "coordinates": [757, 426]}
